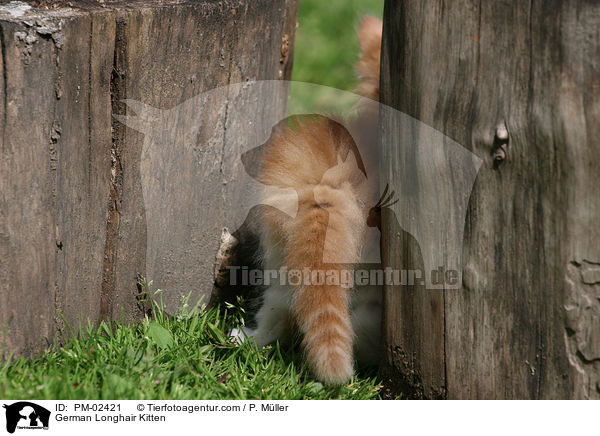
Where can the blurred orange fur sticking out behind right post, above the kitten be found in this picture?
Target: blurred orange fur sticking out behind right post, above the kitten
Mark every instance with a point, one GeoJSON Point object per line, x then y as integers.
{"type": "Point", "coordinates": [367, 68]}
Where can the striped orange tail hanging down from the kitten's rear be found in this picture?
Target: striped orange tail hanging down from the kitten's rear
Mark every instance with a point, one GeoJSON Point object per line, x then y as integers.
{"type": "Point", "coordinates": [321, 310]}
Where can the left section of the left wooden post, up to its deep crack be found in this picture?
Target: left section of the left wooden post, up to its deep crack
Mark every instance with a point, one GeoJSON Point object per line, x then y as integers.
{"type": "Point", "coordinates": [55, 182]}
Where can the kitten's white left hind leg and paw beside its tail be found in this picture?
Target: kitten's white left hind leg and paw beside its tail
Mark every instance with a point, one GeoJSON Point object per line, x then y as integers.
{"type": "Point", "coordinates": [272, 318]}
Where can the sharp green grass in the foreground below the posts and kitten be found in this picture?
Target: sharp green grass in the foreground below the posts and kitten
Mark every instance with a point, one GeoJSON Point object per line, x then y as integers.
{"type": "Point", "coordinates": [185, 356]}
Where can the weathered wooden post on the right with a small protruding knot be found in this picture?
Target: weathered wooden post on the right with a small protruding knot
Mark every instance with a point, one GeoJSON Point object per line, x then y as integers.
{"type": "Point", "coordinates": [526, 321]}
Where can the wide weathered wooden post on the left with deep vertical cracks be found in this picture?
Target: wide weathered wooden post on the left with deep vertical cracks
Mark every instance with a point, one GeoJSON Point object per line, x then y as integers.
{"type": "Point", "coordinates": [72, 222]}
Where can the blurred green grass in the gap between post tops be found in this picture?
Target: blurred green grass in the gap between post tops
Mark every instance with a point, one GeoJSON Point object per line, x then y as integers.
{"type": "Point", "coordinates": [326, 50]}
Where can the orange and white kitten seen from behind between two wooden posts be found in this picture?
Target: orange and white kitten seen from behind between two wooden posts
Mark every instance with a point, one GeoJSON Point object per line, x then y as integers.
{"type": "Point", "coordinates": [318, 158]}
